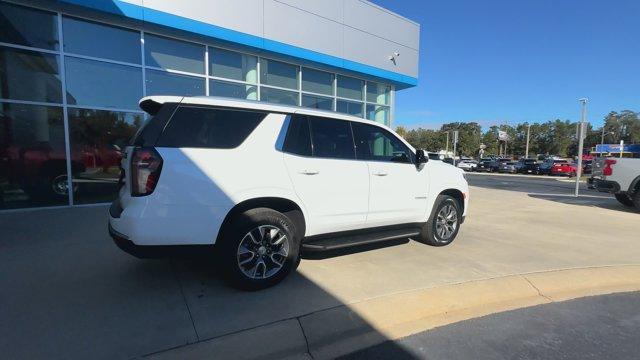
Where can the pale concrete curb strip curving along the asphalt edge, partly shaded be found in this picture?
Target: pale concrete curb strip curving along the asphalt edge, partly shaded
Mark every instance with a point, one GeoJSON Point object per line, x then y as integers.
{"type": "Point", "coordinates": [333, 332]}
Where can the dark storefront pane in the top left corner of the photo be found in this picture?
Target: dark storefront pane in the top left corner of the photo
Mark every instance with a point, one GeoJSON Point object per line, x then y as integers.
{"type": "Point", "coordinates": [28, 27]}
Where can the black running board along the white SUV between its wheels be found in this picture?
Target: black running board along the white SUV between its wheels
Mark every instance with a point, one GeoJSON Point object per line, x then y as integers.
{"type": "Point", "coordinates": [340, 241]}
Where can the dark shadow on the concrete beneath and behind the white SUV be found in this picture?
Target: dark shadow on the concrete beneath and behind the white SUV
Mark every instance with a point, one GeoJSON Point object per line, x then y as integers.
{"type": "Point", "coordinates": [68, 292]}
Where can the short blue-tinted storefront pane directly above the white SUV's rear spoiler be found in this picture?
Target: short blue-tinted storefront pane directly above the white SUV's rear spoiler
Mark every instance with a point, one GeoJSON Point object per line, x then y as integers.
{"type": "Point", "coordinates": [164, 83]}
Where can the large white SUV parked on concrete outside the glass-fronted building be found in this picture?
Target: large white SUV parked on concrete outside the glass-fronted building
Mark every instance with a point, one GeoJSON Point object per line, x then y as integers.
{"type": "Point", "coordinates": [262, 183]}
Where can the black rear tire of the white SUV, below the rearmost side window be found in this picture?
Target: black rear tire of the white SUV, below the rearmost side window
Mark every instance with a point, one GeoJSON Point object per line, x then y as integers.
{"type": "Point", "coordinates": [232, 239]}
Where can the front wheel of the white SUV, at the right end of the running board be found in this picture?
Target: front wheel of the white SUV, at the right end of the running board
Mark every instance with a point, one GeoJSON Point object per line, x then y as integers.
{"type": "Point", "coordinates": [443, 224]}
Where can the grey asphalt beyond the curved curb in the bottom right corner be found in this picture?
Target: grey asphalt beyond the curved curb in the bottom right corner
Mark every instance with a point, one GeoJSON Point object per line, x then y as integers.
{"type": "Point", "coordinates": [598, 327]}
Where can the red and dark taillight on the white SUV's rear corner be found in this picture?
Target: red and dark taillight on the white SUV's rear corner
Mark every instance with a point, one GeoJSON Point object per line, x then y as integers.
{"type": "Point", "coordinates": [146, 165]}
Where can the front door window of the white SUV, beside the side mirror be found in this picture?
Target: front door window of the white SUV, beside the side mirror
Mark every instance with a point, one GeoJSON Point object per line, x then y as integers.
{"type": "Point", "coordinates": [377, 144]}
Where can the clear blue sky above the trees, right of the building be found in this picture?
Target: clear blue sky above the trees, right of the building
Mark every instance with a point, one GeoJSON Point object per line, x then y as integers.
{"type": "Point", "coordinates": [498, 61]}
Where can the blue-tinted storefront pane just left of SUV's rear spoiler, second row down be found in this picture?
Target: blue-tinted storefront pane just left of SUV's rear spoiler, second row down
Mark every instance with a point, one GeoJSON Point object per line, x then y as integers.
{"type": "Point", "coordinates": [96, 83]}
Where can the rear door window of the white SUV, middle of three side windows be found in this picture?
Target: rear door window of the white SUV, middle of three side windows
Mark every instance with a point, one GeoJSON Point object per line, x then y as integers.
{"type": "Point", "coordinates": [331, 138]}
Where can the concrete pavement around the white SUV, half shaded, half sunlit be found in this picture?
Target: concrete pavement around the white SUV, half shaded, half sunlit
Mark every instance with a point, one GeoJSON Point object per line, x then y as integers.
{"type": "Point", "coordinates": [69, 293]}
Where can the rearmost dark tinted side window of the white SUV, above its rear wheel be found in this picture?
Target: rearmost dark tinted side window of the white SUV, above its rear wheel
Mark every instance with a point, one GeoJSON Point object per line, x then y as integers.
{"type": "Point", "coordinates": [204, 127]}
